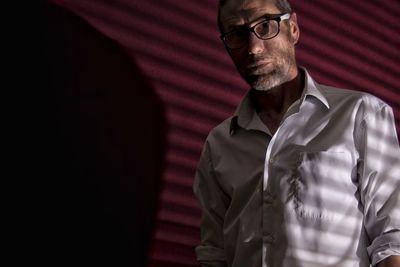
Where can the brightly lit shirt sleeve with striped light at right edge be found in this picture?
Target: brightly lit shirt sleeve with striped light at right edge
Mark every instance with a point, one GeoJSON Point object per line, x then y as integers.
{"type": "Point", "coordinates": [379, 174]}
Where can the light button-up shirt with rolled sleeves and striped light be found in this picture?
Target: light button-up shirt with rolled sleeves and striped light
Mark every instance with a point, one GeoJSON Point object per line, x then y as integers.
{"type": "Point", "coordinates": [312, 194]}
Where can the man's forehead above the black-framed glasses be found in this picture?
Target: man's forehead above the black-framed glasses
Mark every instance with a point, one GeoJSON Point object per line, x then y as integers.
{"type": "Point", "coordinates": [244, 11]}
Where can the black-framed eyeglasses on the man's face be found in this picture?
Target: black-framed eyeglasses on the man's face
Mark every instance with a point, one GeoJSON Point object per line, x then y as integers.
{"type": "Point", "coordinates": [266, 29]}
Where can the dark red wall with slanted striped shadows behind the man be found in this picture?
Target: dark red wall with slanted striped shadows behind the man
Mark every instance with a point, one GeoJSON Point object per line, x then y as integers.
{"type": "Point", "coordinates": [352, 44]}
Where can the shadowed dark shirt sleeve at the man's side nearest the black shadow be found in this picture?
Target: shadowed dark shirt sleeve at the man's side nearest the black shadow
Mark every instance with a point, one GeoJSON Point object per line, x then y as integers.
{"type": "Point", "coordinates": [212, 201]}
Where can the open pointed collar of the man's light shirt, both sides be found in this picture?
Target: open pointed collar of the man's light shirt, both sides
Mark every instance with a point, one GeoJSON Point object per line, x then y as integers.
{"type": "Point", "coordinates": [247, 118]}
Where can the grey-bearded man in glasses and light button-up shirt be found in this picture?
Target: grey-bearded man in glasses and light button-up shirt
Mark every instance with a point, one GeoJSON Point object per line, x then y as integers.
{"type": "Point", "coordinates": [302, 174]}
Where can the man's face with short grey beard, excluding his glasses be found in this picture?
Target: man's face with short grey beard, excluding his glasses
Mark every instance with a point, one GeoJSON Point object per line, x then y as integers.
{"type": "Point", "coordinates": [264, 64]}
